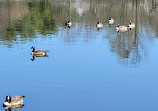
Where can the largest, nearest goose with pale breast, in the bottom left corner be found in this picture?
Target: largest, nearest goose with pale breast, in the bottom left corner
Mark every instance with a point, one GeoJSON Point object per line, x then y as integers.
{"type": "Point", "coordinates": [12, 101]}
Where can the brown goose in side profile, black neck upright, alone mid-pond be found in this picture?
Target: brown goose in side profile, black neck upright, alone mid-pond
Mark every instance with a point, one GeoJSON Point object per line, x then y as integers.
{"type": "Point", "coordinates": [38, 52]}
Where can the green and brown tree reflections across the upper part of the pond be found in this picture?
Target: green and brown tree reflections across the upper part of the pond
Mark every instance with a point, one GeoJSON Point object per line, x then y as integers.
{"type": "Point", "coordinates": [27, 19]}
